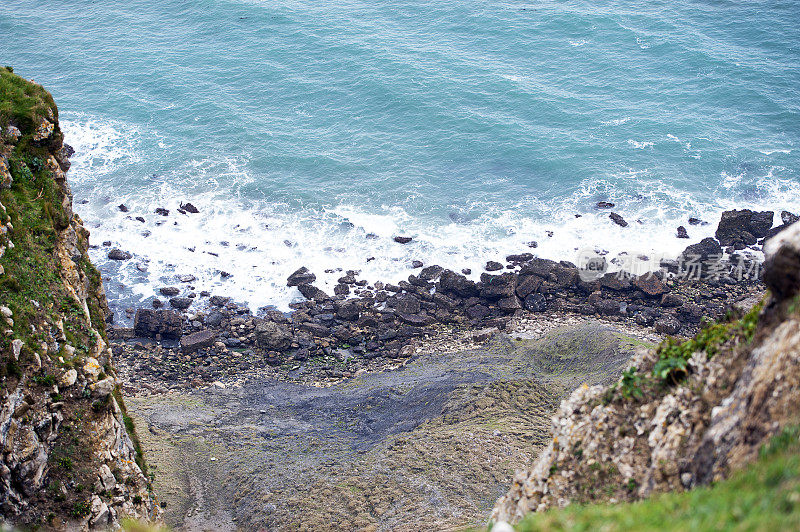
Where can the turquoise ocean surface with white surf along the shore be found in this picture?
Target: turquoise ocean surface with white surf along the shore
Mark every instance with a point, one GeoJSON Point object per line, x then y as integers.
{"type": "Point", "coordinates": [312, 132]}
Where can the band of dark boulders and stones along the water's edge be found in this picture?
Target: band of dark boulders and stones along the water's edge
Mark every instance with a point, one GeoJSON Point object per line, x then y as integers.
{"type": "Point", "coordinates": [366, 326]}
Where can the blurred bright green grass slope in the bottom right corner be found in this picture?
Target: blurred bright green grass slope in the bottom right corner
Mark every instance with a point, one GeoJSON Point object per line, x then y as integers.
{"type": "Point", "coordinates": [763, 496]}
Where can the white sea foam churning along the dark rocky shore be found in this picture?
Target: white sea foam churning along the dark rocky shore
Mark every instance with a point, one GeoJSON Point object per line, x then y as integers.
{"type": "Point", "coordinates": [260, 242]}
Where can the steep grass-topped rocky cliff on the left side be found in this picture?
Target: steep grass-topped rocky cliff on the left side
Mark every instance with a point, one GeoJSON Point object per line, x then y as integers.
{"type": "Point", "coordinates": [68, 459]}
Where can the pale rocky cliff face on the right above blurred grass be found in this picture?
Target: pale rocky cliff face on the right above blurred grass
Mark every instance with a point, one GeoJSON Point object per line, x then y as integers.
{"type": "Point", "coordinates": [684, 414]}
